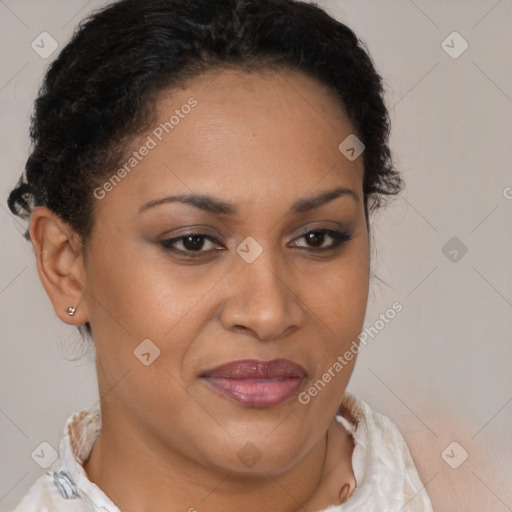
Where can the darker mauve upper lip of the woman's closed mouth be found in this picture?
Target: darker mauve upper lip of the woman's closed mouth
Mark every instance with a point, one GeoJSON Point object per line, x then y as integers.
{"type": "Point", "coordinates": [257, 369]}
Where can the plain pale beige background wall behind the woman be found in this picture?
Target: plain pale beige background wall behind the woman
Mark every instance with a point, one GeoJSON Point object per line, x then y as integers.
{"type": "Point", "coordinates": [442, 368]}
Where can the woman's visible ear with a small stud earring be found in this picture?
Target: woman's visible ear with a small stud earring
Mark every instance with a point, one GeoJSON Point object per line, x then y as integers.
{"type": "Point", "coordinates": [59, 258]}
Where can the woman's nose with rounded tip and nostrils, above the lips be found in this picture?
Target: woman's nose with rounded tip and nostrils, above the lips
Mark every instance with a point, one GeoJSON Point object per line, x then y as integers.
{"type": "Point", "coordinates": [262, 300]}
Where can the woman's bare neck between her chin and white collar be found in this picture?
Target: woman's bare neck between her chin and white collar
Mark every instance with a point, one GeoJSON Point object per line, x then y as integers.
{"type": "Point", "coordinates": [139, 475]}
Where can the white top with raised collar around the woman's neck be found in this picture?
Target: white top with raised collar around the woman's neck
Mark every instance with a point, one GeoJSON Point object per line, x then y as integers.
{"type": "Point", "coordinates": [386, 477]}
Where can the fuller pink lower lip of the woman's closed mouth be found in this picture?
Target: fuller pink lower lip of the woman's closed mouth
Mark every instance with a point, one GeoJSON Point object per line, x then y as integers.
{"type": "Point", "coordinates": [257, 392]}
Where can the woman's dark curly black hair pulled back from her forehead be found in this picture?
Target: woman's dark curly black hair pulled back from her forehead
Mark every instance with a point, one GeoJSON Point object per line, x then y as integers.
{"type": "Point", "coordinates": [101, 90]}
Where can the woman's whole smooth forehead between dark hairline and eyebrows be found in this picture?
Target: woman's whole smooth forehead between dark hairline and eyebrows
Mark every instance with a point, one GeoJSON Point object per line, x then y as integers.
{"type": "Point", "coordinates": [231, 133]}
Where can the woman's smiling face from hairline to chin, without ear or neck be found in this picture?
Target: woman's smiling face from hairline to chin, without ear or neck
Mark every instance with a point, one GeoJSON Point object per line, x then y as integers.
{"type": "Point", "coordinates": [253, 286]}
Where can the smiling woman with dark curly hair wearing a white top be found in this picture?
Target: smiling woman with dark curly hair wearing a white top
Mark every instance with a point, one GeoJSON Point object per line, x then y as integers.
{"type": "Point", "coordinates": [199, 193]}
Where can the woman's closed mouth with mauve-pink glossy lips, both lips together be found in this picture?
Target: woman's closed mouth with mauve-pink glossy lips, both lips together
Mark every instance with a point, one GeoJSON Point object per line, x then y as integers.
{"type": "Point", "coordinates": [255, 383]}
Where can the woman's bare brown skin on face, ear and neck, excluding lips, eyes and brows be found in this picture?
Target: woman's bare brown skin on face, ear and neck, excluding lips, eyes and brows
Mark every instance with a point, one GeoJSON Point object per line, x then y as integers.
{"type": "Point", "coordinates": [260, 141]}
